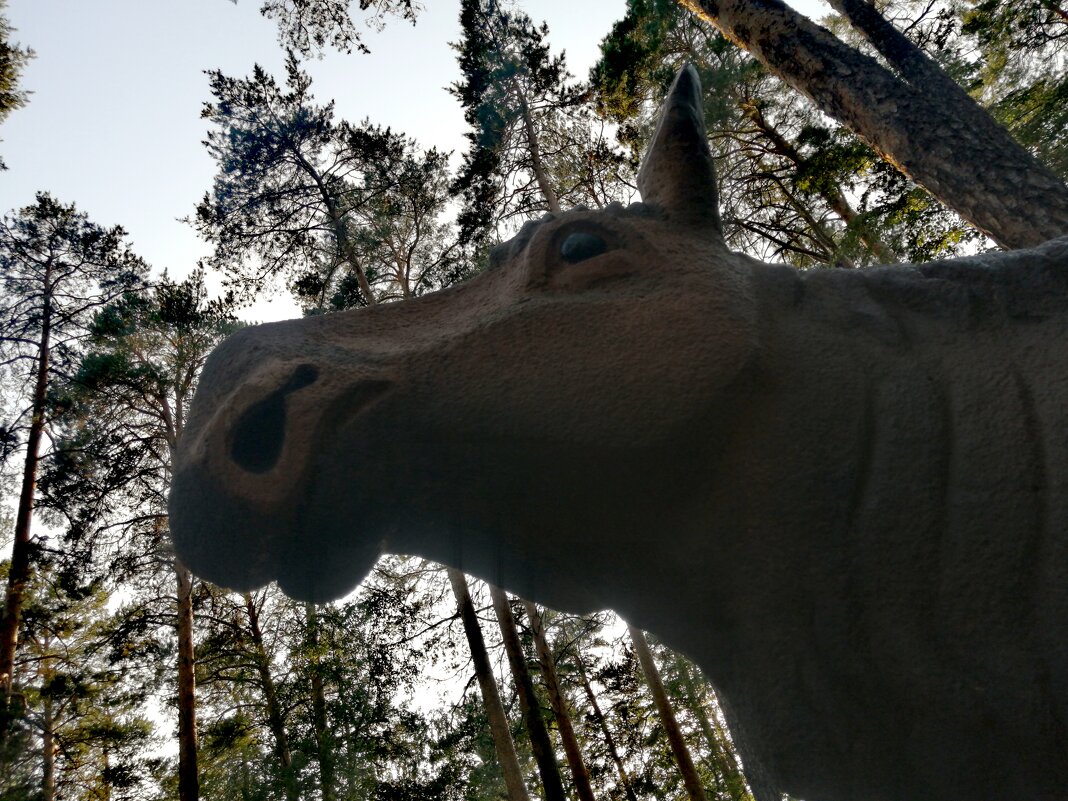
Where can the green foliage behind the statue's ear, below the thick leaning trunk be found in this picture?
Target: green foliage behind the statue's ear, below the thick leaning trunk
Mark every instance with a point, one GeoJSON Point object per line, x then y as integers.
{"type": "Point", "coordinates": [794, 187]}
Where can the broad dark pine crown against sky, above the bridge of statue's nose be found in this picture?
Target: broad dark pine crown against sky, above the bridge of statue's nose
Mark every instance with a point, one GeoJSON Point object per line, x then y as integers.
{"type": "Point", "coordinates": [322, 202]}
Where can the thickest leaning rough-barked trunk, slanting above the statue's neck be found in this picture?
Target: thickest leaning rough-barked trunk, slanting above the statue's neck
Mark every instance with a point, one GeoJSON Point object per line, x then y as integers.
{"type": "Point", "coordinates": [973, 168]}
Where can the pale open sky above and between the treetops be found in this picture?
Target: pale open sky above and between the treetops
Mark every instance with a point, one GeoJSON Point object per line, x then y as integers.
{"type": "Point", "coordinates": [114, 123]}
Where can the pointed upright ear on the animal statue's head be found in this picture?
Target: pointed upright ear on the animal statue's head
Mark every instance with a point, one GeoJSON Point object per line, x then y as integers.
{"type": "Point", "coordinates": [678, 174]}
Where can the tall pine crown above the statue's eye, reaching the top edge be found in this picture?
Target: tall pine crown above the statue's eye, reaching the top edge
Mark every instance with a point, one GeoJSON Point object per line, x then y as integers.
{"type": "Point", "coordinates": [532, 140]}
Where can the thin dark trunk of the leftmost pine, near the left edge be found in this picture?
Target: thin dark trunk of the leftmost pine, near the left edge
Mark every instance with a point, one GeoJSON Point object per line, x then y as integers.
{"type": "Point", "coordinates": [19, 575]}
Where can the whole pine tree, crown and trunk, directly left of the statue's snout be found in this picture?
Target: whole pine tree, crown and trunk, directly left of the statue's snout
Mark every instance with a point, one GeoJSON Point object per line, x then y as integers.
{"type": "Point", "coordinates": [132, 394]}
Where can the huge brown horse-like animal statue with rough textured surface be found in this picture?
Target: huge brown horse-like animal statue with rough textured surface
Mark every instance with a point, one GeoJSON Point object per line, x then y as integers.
{"type": "Point", "coordinates": [845, 494]}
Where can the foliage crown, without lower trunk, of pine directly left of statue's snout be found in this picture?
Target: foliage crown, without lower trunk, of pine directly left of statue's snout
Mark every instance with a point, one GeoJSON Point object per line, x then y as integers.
{"type": "Point", "coordinates": [123, 413]}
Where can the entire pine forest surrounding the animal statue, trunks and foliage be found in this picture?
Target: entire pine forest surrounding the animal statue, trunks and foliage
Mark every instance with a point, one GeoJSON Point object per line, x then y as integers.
{"type": "Point", "coordinates": [125, 678]}
